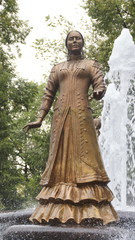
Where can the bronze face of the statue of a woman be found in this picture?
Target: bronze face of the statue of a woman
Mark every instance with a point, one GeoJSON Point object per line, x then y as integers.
{"type": "Point", "coordinates": [74, 42]}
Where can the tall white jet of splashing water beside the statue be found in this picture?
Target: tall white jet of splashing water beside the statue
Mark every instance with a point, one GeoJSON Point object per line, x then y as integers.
{"type": "Point", "coordinates": [117, 138]}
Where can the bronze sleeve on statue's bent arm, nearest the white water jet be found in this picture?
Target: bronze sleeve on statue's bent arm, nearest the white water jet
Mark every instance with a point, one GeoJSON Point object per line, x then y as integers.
{"type": "Point", "coordinates": [97, 81]}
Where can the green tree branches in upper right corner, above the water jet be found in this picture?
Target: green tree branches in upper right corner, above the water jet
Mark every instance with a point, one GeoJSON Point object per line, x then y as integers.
{"type": "Point", "coordinates": [108, 18]}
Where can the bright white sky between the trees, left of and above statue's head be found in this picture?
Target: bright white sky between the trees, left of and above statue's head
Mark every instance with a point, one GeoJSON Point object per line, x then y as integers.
{"type": "Point", "coordinates": [35, 11]}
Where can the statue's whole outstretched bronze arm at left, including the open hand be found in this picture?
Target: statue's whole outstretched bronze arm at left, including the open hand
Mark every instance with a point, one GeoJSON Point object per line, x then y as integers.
{"type": "Point", "coordinates": [47, 100]}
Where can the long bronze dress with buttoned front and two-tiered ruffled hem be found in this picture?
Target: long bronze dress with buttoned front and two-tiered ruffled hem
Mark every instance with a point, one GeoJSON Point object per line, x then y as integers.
{"type": "Point", "coordinates": [74, 181]}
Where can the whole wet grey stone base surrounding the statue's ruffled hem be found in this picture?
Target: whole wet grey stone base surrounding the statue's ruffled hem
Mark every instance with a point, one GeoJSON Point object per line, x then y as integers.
{"type": "Point", "coordinates": [123, 230]}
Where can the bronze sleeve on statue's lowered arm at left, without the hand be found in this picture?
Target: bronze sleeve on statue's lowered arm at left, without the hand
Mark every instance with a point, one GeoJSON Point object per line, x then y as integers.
{"type": "Point", "coordinates": [50, 91]}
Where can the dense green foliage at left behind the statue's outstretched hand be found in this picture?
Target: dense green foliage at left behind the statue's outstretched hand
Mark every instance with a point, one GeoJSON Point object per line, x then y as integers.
{"type": "Point", "coordinates": [22, 156]}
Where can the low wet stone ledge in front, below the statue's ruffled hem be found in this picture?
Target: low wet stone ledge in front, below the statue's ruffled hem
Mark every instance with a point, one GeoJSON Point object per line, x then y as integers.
{"type": "Point", "coordinates": [31, 232]}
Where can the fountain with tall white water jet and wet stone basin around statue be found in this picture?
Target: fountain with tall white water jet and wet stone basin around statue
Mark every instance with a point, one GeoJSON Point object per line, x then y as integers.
{"type": "Point", "coordinates": [117, 142]}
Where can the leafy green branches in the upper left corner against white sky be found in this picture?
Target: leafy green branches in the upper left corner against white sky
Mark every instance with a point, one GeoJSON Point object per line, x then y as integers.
{"type": "Point", "coordinates": [12, 29]}
